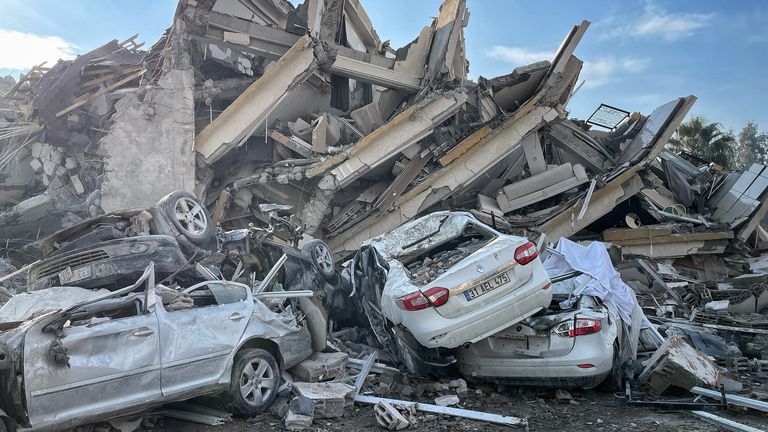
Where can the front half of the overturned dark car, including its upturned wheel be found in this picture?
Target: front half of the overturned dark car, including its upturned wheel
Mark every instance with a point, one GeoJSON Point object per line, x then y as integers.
{"type": "Point", "coordinates": [113, 249]}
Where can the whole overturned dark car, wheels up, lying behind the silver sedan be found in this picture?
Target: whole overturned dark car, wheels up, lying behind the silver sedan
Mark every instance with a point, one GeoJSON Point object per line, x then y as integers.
{"type": "Point", "coordinates": [176, 234]}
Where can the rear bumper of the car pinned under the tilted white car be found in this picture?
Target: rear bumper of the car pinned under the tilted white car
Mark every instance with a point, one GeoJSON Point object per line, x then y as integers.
{"type": "Point", "coordinates": [476, 364]}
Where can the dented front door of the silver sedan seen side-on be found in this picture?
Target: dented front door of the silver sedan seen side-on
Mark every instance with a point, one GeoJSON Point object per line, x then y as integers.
{"type": "Point", "coordinates": [105, 359]}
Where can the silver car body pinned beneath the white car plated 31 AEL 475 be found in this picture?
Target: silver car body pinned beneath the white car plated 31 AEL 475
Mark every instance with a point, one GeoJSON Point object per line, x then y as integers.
{"type": "Point", "coordinates": [575, 343]}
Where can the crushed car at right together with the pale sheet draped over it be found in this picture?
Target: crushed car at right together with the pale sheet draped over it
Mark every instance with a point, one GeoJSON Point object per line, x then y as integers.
{"type": "Point", "coordinates": [580, 340]}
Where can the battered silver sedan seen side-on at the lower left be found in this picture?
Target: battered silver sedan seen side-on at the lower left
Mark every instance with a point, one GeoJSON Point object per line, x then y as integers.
{"type": "Point", "coordinates": [71, 356]}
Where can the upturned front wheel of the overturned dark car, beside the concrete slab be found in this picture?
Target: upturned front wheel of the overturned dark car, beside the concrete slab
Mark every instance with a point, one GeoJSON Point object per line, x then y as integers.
{"type": "Point", "coordinates": [189, 216]}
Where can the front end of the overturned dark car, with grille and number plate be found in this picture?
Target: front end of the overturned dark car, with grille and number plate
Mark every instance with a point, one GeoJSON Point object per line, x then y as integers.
{"type": "Point", "coordinates": [105, 263]}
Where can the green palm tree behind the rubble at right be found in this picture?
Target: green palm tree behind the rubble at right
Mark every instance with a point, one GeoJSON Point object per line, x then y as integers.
{"type": "Point", "coordinates": [705, 141]}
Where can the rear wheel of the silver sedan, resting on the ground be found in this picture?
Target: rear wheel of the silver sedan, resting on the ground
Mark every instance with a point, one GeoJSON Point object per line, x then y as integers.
{"type": "Point", "coordinates": [255, 382]}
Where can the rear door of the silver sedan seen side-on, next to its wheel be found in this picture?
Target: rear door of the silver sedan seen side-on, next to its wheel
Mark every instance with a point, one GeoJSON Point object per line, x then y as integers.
{"type": "Point", "coordinates": [197, 342]}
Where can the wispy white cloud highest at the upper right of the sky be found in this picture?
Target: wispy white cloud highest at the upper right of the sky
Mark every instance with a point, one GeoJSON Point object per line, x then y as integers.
{"type": "Point", "coordinates": [656, 22]}
